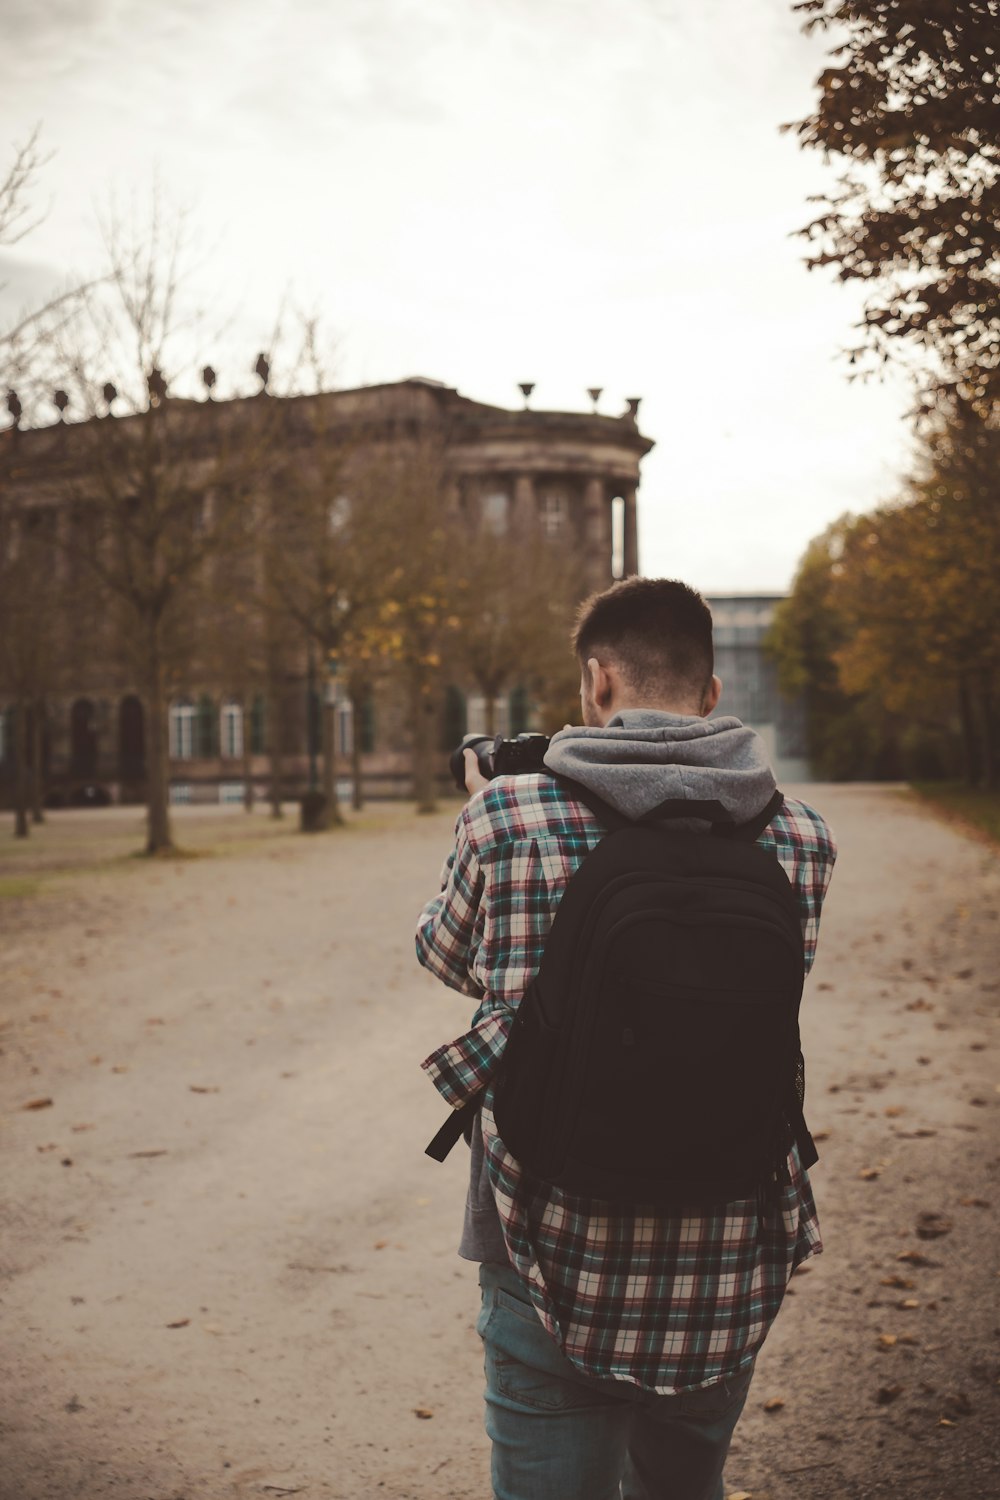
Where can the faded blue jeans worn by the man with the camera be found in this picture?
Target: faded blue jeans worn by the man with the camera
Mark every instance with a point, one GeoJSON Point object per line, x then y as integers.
{"type": "Point", "coordinates": [560, 1435]}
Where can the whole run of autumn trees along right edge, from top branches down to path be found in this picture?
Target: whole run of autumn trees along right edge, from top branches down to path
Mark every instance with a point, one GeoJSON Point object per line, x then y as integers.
{"type": "Point", "coordinates": [893, 629]}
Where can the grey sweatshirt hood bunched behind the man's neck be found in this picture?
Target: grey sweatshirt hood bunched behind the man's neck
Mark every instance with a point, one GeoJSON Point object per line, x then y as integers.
{"type": "Point", "coordinates": [642, 758]}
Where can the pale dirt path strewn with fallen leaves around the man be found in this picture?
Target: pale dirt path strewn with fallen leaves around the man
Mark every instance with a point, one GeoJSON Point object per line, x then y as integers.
{"type": "Point", "coordinates": [229, 1270]}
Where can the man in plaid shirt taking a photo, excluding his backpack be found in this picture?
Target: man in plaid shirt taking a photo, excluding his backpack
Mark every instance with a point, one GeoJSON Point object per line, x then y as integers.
{"type": "Point", "coordinates": [620, 1342]}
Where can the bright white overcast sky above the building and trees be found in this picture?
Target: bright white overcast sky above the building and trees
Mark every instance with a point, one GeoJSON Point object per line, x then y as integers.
{"type": "Point", "coordinates": [578, 193]}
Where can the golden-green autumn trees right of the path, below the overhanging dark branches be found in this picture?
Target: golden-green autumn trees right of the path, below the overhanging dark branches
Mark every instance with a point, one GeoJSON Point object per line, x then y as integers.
{"type": "Point", "coordinates": [893, 628]}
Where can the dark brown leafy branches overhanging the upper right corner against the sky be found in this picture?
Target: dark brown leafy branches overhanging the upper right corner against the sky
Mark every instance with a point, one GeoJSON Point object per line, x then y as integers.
{"type": "Point", "coordinates": [911, 107]}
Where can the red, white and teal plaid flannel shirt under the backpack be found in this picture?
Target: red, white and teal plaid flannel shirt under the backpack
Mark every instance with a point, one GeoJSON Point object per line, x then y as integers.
{"type": "Point", "coordinates": [663, 1303]}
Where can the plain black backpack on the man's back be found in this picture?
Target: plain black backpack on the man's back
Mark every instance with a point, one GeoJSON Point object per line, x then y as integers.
{"type": "Point", "coordinates": [656, 1060]}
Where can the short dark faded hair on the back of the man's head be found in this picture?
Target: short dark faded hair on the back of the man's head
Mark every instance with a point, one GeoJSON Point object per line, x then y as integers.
{"type": "Point", "coordinates": [657, 629]}
